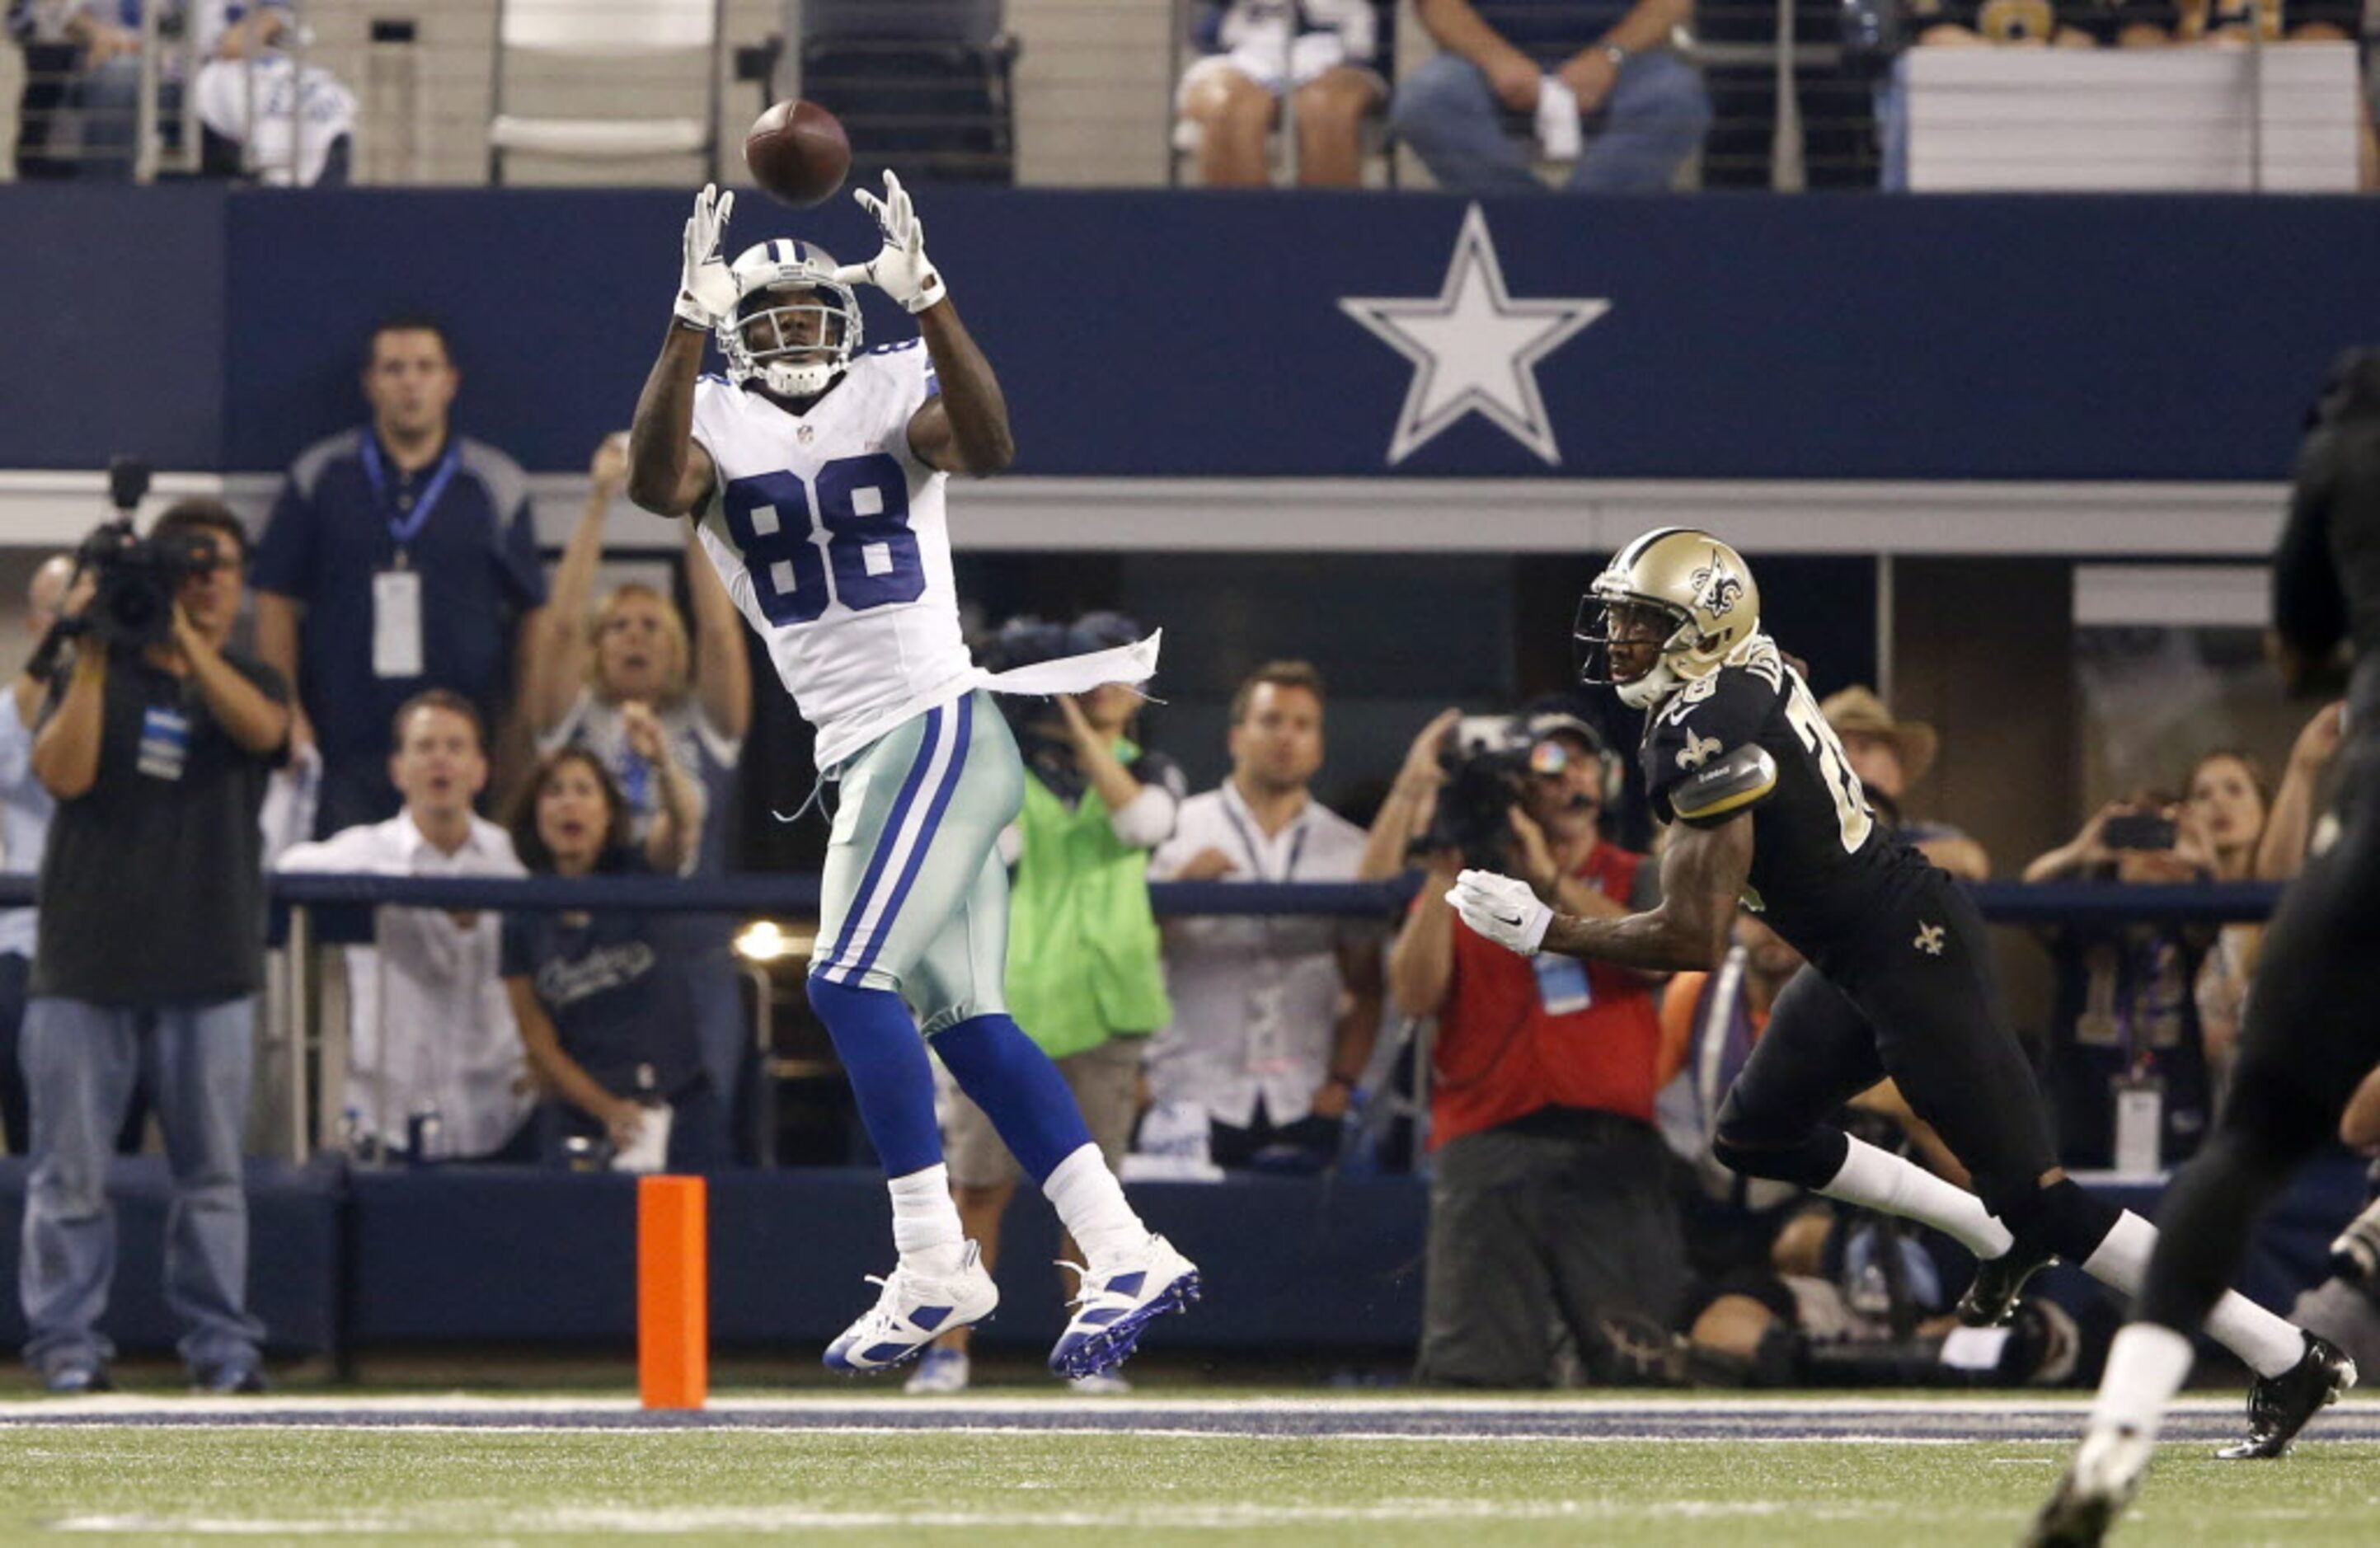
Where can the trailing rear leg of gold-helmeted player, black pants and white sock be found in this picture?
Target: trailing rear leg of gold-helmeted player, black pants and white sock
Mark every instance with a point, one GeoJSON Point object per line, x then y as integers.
{"type": "Point", "coordinates": [1946, 1040]}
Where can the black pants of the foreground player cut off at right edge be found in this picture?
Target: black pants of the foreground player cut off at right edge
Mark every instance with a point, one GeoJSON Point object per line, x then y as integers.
{"type": "Point", "coordinates": [2312, 1036]}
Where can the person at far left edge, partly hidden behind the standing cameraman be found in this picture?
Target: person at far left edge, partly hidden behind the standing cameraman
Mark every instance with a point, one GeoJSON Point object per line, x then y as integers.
{"type": "Point", "coordinates": [25, 826]}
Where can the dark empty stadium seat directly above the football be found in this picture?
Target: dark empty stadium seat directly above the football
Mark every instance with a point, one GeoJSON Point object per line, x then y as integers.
{"type": "Point", "coordinates": [920, 84]}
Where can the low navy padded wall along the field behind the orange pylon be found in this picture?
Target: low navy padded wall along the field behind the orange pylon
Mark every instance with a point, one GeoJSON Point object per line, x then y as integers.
{"type": "Point", "coordinates": [549, 1259]}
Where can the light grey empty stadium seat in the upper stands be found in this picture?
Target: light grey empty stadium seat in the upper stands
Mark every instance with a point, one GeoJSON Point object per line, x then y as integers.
{"type": "Point", "coordinates": [606, 30]}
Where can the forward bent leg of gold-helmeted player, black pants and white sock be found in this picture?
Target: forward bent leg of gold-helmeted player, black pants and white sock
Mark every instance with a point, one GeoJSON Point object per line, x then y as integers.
{"type": "Point", "coordinates": [1817, 1055]}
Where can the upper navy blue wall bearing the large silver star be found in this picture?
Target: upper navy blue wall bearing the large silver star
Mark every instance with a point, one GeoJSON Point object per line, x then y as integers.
{"type": "Point", "coordinates": [1151, 334]}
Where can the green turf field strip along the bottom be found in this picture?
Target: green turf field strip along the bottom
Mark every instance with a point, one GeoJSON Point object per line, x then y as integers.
{"type": "Point", "coordinates": [739, 1485]}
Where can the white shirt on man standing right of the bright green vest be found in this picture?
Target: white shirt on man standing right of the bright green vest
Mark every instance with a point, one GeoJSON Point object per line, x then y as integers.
{"type": "Point", "coordinates": [1255, 998]}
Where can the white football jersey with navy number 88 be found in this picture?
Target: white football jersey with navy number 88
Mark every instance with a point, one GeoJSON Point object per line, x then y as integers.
{"type": "Point", "coordinates": [832, 539]}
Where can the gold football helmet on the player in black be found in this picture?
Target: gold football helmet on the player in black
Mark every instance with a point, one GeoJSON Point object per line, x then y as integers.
{"type": "Point", "coordinates": [1689, 579]}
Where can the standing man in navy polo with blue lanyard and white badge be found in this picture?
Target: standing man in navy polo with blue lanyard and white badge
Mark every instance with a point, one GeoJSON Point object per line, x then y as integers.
{"type": "Point", "coordinates": [399, 558]}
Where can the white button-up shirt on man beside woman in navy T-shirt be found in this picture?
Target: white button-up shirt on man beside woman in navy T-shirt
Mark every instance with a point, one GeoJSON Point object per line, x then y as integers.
{"type": "Point", "coordinates": [453, 1045]}
